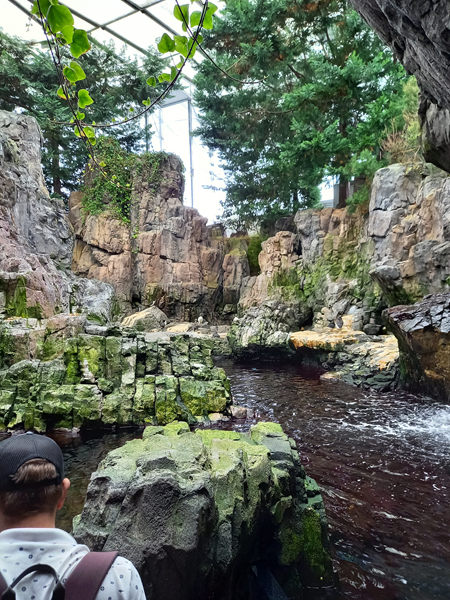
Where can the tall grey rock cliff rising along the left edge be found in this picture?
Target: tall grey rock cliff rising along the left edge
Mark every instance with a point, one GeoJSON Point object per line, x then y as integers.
{"type": "Point", "coordinates": [36, 238]}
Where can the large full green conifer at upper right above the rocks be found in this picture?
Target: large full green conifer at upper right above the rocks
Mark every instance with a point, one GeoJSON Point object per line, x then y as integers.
{"type": "Point", "coordinates": [326, 85]}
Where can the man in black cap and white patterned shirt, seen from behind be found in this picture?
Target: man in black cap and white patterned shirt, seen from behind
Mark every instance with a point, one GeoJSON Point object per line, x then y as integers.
{"type": "Point", "coordinates": [32, 489]}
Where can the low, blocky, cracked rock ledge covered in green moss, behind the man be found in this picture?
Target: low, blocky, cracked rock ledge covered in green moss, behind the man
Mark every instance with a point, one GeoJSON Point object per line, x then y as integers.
{"type": "Point", "coordinates": [66, 373]}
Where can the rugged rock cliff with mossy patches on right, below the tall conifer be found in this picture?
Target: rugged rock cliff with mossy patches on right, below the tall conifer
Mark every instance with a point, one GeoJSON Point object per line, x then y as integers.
{"type": "Point", "coordinates": [357, 264]}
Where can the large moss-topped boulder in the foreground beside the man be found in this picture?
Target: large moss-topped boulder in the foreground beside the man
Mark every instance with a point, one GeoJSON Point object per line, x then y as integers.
{"type": "Point", "coordinates": [200, 514]}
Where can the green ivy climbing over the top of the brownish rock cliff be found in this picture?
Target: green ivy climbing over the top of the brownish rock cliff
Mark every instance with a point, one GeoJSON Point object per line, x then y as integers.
{"type": "Point", "coordinates": [111, 188]}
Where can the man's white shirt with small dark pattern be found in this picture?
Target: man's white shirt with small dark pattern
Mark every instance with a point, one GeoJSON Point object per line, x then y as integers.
{"type": "Point", "coordinates": [21, 548]}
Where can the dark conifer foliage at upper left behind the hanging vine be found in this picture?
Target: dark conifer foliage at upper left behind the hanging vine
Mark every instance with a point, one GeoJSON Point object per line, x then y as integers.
{"type": "Point", "coordinates": [27, 81]}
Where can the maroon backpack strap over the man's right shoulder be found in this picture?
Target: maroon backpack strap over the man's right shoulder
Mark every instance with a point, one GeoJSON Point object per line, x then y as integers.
{"type": "Point", "coordinates": [87, 577]}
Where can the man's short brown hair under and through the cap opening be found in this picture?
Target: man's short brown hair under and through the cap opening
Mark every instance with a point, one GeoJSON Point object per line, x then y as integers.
{"type": "Point", "coordinates": [33, 500]}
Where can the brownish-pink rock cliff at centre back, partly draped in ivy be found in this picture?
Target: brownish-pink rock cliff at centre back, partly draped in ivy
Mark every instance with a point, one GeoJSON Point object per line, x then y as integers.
{"type": "Point", "coordinates": [167, 254]}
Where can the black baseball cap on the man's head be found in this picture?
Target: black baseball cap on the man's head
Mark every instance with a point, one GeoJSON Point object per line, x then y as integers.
{"type": "Point", "coordinates": [19, 449]}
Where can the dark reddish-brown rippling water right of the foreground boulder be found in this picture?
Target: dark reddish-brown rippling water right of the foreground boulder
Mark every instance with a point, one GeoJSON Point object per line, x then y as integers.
{"type": "Point", "coordinates": [382, 461]}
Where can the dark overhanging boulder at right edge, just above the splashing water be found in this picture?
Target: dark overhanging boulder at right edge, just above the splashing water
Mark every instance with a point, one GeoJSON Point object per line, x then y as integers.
{"type": "Point", "coordinates": [423, 333]}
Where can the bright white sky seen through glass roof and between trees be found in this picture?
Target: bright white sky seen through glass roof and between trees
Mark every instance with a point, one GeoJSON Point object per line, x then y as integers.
{"type": "Point", "coordinates": [137, 24]}
